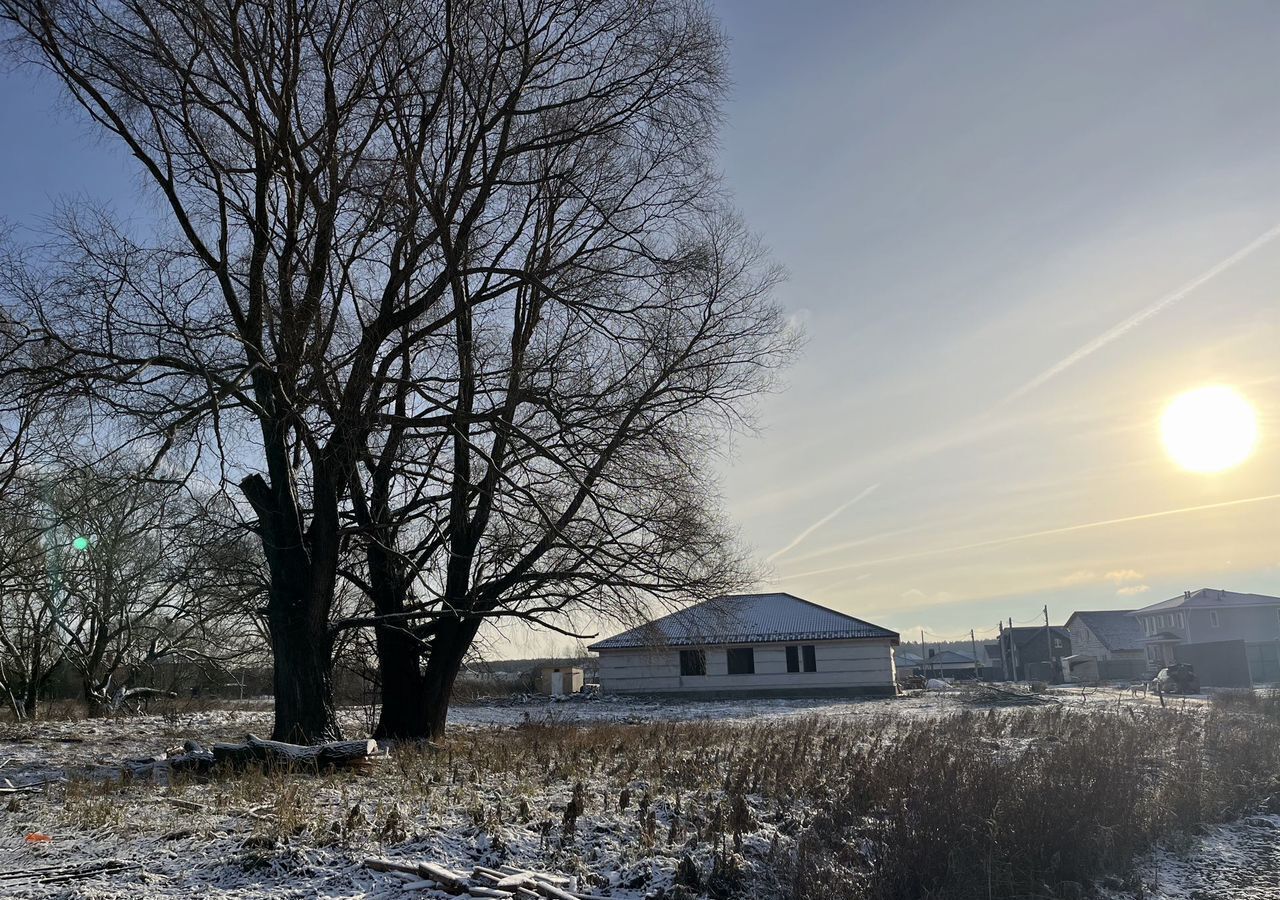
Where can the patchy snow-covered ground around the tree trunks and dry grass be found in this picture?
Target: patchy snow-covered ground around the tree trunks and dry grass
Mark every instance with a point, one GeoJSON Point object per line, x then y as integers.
{"type": "Point", "coordinates": [303, 837]}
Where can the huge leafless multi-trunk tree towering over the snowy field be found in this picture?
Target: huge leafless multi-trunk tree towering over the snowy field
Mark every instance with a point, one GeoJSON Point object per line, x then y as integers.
{"type": "Point", "coordinates": [446, 281]}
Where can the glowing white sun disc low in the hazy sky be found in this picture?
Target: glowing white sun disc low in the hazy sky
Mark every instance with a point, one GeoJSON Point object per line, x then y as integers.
{"type": "Point", "coordinates": [1209, 430]}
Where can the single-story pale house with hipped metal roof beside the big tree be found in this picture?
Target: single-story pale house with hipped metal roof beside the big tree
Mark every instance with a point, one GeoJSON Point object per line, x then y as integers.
{"type": "Point", "coordinates": [751, 645]}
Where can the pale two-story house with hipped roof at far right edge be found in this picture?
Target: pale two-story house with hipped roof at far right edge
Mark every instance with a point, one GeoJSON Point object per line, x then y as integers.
{"type": "Point", "coordinates": [1212, 615]}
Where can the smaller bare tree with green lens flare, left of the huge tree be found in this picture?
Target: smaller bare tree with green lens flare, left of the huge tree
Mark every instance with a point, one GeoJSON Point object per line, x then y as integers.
{"type": "Point", "coordinates": [141, 579]}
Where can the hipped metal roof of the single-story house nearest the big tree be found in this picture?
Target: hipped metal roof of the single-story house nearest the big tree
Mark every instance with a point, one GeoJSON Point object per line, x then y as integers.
{"type": "Point", "coordinates": [747, 619]}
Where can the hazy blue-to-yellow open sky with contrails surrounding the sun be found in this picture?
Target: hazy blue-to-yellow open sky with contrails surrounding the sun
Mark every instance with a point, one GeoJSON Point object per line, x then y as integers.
{"type": "Point", "coordinates": [1014, 232]}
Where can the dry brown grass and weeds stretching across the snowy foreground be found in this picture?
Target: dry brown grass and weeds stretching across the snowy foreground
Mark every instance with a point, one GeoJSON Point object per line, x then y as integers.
{"type": "Point", "coordinates": [1030, 803]}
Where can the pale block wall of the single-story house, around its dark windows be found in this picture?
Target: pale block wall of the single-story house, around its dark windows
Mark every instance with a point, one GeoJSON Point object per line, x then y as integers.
{"type": "Point", "coordinates": [840, 664]}
